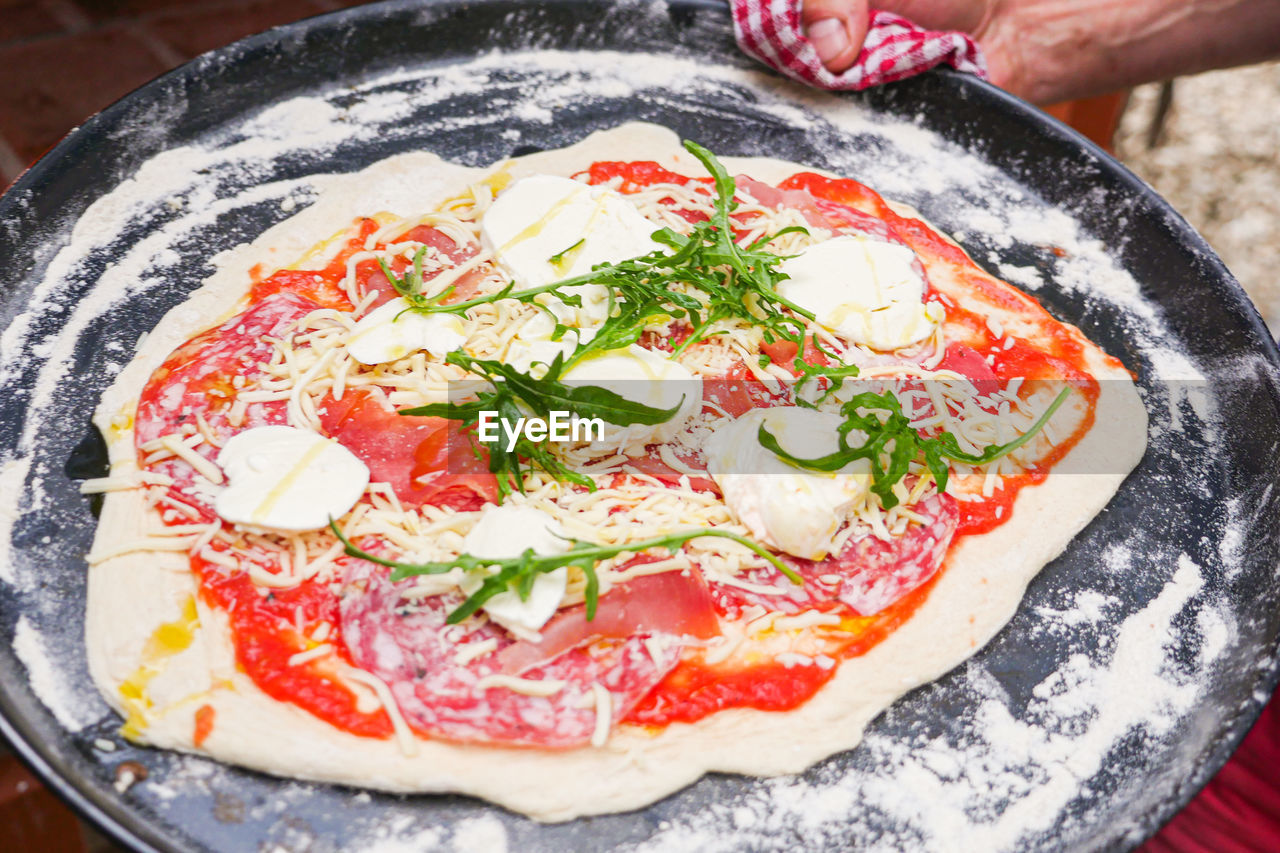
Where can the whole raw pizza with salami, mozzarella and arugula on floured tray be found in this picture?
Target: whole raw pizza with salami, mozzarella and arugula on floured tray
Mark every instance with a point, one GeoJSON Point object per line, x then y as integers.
{"type": "Point", "coordinates": [829, 455]}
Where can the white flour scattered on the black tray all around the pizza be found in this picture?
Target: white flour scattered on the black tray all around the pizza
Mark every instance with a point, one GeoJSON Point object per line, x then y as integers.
{"type": "Point", "coordinates": [1004, 772]}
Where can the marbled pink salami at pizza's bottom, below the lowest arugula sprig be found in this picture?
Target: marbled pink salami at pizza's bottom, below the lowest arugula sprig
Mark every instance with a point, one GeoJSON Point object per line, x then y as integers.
{"type": "Point", "coordinates": [441, 695]}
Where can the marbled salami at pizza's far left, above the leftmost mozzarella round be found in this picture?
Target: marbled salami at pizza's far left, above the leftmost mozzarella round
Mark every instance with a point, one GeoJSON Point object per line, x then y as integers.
{"type": "Point", "coordinates": [202, 380]}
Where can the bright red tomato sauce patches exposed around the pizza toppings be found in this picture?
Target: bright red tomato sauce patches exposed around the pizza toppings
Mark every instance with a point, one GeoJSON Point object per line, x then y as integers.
{"type": "Point", "coordinates": [267, 627]}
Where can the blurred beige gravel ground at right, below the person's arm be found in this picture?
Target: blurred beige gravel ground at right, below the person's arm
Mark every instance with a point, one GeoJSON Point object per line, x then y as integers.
{"type": "Point", "coordinates": [1218, 162]}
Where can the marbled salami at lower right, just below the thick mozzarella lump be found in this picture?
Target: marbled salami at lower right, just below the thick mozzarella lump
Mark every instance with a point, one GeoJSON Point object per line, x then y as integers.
{"type": "Point", "coordinates": [867, 577]}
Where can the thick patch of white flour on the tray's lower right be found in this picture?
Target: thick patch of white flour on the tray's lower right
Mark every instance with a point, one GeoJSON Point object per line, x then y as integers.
{"type": "Point", "coordinates": [979, 799]}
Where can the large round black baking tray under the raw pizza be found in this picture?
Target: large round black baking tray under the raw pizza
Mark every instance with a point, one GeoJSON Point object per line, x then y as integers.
{"type": "Point", "coordinates": [1180, 509]}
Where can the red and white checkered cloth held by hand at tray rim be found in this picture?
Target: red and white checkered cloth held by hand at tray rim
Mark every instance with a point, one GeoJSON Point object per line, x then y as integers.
{"type": "Point", "coordinates": [895, 48]}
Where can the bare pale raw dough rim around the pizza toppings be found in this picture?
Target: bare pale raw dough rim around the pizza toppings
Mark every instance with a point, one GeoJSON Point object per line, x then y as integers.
{"type": "Point", "coordinates": [135, 592]}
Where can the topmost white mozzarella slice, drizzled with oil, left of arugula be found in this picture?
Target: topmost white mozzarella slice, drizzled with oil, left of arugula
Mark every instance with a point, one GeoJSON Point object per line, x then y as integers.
{"type": "Point", "coordinates": [542, 218]}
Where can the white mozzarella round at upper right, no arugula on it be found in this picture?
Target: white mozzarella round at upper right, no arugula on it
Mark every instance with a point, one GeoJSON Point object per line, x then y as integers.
{"type": "Point", "coordinates": [867, 291]}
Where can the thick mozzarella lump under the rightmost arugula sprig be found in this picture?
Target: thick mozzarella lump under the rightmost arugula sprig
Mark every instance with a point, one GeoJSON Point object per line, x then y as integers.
{"type": "Point", "coordinates": [792, 509]}
